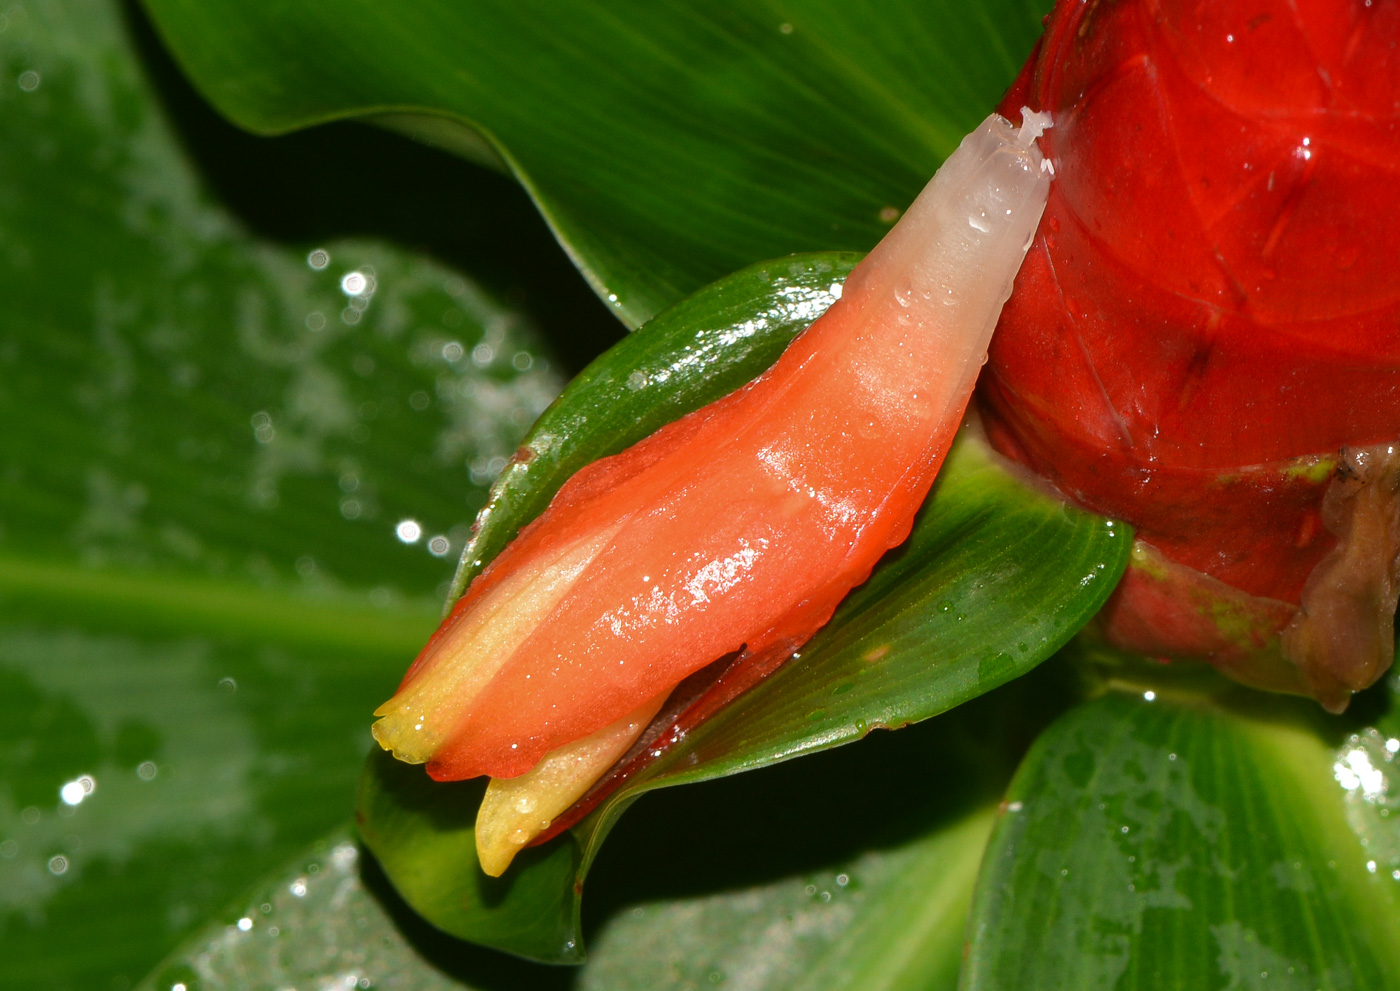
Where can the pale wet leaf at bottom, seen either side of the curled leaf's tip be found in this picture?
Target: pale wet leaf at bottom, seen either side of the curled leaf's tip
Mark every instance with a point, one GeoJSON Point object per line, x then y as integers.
{"type": "Point", "coordinates": [884, 919]}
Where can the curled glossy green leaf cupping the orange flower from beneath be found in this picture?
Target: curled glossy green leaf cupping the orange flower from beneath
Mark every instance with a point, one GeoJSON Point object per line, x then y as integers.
{"type": "Point", "coordinates": [993, 580]}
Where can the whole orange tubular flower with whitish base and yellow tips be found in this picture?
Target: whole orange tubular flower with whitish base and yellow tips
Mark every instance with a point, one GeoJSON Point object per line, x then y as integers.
{"type": "Point", "coordinates": [740, 527]}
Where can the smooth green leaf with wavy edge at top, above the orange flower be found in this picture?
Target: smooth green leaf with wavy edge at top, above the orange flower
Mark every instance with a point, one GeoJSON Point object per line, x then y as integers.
{"type": "Point", "coordinates": [668, 143]}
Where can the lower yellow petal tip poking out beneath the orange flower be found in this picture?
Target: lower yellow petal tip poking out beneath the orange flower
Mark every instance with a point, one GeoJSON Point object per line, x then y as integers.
{"type": "Point", "coordinates": [516, 811]}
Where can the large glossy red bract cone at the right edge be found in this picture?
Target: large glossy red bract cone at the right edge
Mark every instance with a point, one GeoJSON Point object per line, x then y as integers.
{"type": "Point", "coordinates": [1210, 313]}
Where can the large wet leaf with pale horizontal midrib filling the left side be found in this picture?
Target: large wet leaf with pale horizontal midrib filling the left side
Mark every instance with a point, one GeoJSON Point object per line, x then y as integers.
{"type": "Point", "coordinates": [206, 449]}
